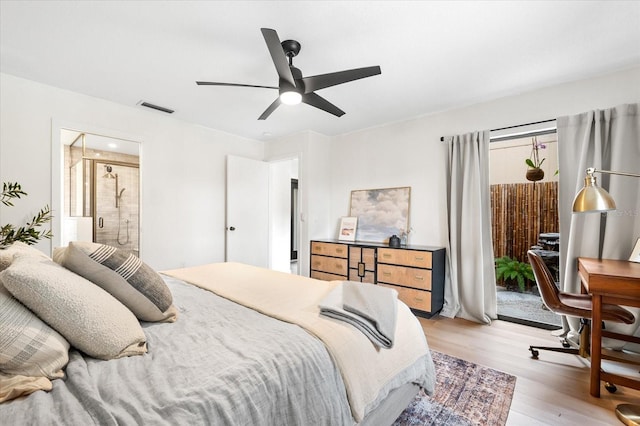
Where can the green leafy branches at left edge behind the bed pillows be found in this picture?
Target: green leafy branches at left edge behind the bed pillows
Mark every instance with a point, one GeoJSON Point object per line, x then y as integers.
{"type": "Point", "coordinates": [28, 234]}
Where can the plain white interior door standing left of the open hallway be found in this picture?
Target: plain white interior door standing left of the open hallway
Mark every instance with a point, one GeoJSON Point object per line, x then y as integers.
{"type": "Point", "coordinates": [247, 236]}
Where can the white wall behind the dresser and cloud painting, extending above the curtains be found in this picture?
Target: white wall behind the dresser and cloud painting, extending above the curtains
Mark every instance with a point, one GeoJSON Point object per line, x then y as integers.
{"type": "Point", "coordinates": [410, 153]}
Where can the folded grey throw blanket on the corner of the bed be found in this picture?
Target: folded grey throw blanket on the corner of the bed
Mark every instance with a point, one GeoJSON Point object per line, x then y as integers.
{"type": "Point", "coordinates": [370, 308]}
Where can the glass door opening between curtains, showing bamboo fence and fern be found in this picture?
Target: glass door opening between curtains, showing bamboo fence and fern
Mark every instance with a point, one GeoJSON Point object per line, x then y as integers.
{"type": "Point", "coordinates": [524, 217]}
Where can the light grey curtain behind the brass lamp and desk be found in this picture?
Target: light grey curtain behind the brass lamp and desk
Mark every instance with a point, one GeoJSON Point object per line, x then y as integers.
{"type": "Point", "coordinates": [608, 140]}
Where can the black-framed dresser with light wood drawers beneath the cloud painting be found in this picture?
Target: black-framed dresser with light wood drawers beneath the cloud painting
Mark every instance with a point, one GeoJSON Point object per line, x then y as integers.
{"type": "Point", "coordinates": [416, 272]}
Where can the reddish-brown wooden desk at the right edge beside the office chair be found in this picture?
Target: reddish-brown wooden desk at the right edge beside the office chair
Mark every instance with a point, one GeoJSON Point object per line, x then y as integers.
{"type": "Point", "coordinates": [609, 281]}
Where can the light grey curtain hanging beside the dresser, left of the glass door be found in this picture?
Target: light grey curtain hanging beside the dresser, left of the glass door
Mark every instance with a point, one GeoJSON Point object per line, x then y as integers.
{"type": "Point", "coordinates": [472, 294]}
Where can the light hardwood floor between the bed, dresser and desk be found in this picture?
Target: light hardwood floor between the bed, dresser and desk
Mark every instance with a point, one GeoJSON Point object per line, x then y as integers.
{"type": "Point", "coordinates": [552, 390]}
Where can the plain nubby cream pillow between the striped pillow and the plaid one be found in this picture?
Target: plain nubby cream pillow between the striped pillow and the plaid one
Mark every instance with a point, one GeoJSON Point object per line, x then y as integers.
{"type": "Point", "coordinates": [86, 315]}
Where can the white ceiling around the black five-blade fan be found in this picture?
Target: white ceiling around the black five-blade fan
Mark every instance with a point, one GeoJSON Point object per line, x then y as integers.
{"type": "Point", "coordinates": [434, 55]}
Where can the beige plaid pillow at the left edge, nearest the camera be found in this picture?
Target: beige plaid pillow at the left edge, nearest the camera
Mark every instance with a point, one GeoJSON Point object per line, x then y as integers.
{"type": "Point", "coordinates": [28, 346]}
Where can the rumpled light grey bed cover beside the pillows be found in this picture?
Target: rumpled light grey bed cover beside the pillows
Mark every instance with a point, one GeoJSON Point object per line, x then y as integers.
{"type": "Point", "coordinates": [219, 363]}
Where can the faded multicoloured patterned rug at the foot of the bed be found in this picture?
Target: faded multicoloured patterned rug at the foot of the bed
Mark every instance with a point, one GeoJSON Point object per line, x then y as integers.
{"type": "Point", "coordinates": [466, 394]}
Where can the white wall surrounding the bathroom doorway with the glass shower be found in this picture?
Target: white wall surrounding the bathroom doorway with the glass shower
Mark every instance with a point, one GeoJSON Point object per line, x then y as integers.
{"type": "Point", "coordinates": [182, 170]}
